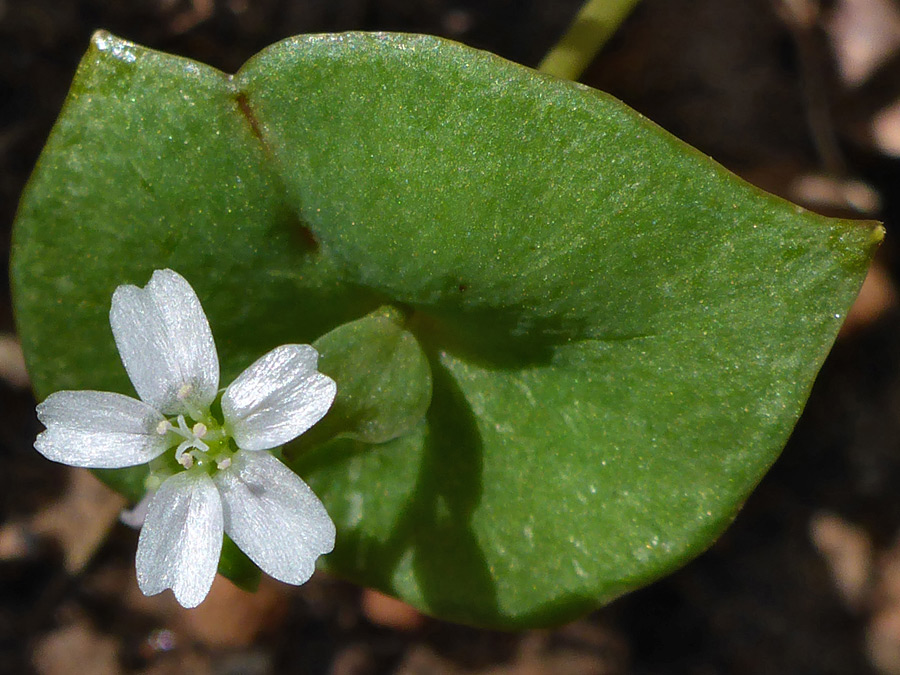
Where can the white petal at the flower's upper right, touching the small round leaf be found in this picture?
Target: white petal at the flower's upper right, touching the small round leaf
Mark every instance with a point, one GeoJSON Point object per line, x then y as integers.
{"type": "Point", "coordinates": [277, 398]}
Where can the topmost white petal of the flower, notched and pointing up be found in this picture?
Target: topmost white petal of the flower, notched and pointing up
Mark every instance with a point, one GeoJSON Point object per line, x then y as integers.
{"type": "Point", "coordinates": [165, 343]}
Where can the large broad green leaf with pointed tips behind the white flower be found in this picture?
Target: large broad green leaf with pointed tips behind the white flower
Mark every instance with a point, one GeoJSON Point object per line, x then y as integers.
{"type": "Point", "coordinates": [620, 333]}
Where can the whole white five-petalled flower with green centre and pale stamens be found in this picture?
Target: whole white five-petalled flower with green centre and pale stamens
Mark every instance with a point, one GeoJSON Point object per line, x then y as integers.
{"type": "Point", "coordinates": [213, 475]}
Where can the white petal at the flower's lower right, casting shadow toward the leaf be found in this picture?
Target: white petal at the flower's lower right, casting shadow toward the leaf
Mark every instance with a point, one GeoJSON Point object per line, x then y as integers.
{"type": "Point", "coordinates": [274, 517]}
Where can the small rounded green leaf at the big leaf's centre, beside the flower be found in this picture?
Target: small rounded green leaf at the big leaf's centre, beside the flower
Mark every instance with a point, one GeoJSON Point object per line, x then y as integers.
{"type": "Point", "coordinates": [385, 380]}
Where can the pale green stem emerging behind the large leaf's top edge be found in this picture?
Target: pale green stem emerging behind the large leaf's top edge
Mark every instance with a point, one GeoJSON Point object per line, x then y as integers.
{"type": "Point", "coordinates": [592, 27]}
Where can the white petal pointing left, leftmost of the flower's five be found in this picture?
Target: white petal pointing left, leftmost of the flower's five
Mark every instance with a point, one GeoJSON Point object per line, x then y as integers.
{"type": "Point", "coordinates": [98, 430]}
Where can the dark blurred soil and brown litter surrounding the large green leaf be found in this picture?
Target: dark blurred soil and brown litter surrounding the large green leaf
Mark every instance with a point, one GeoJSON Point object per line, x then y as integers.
{"type": "Point", "coordinates": [801, 97]}
